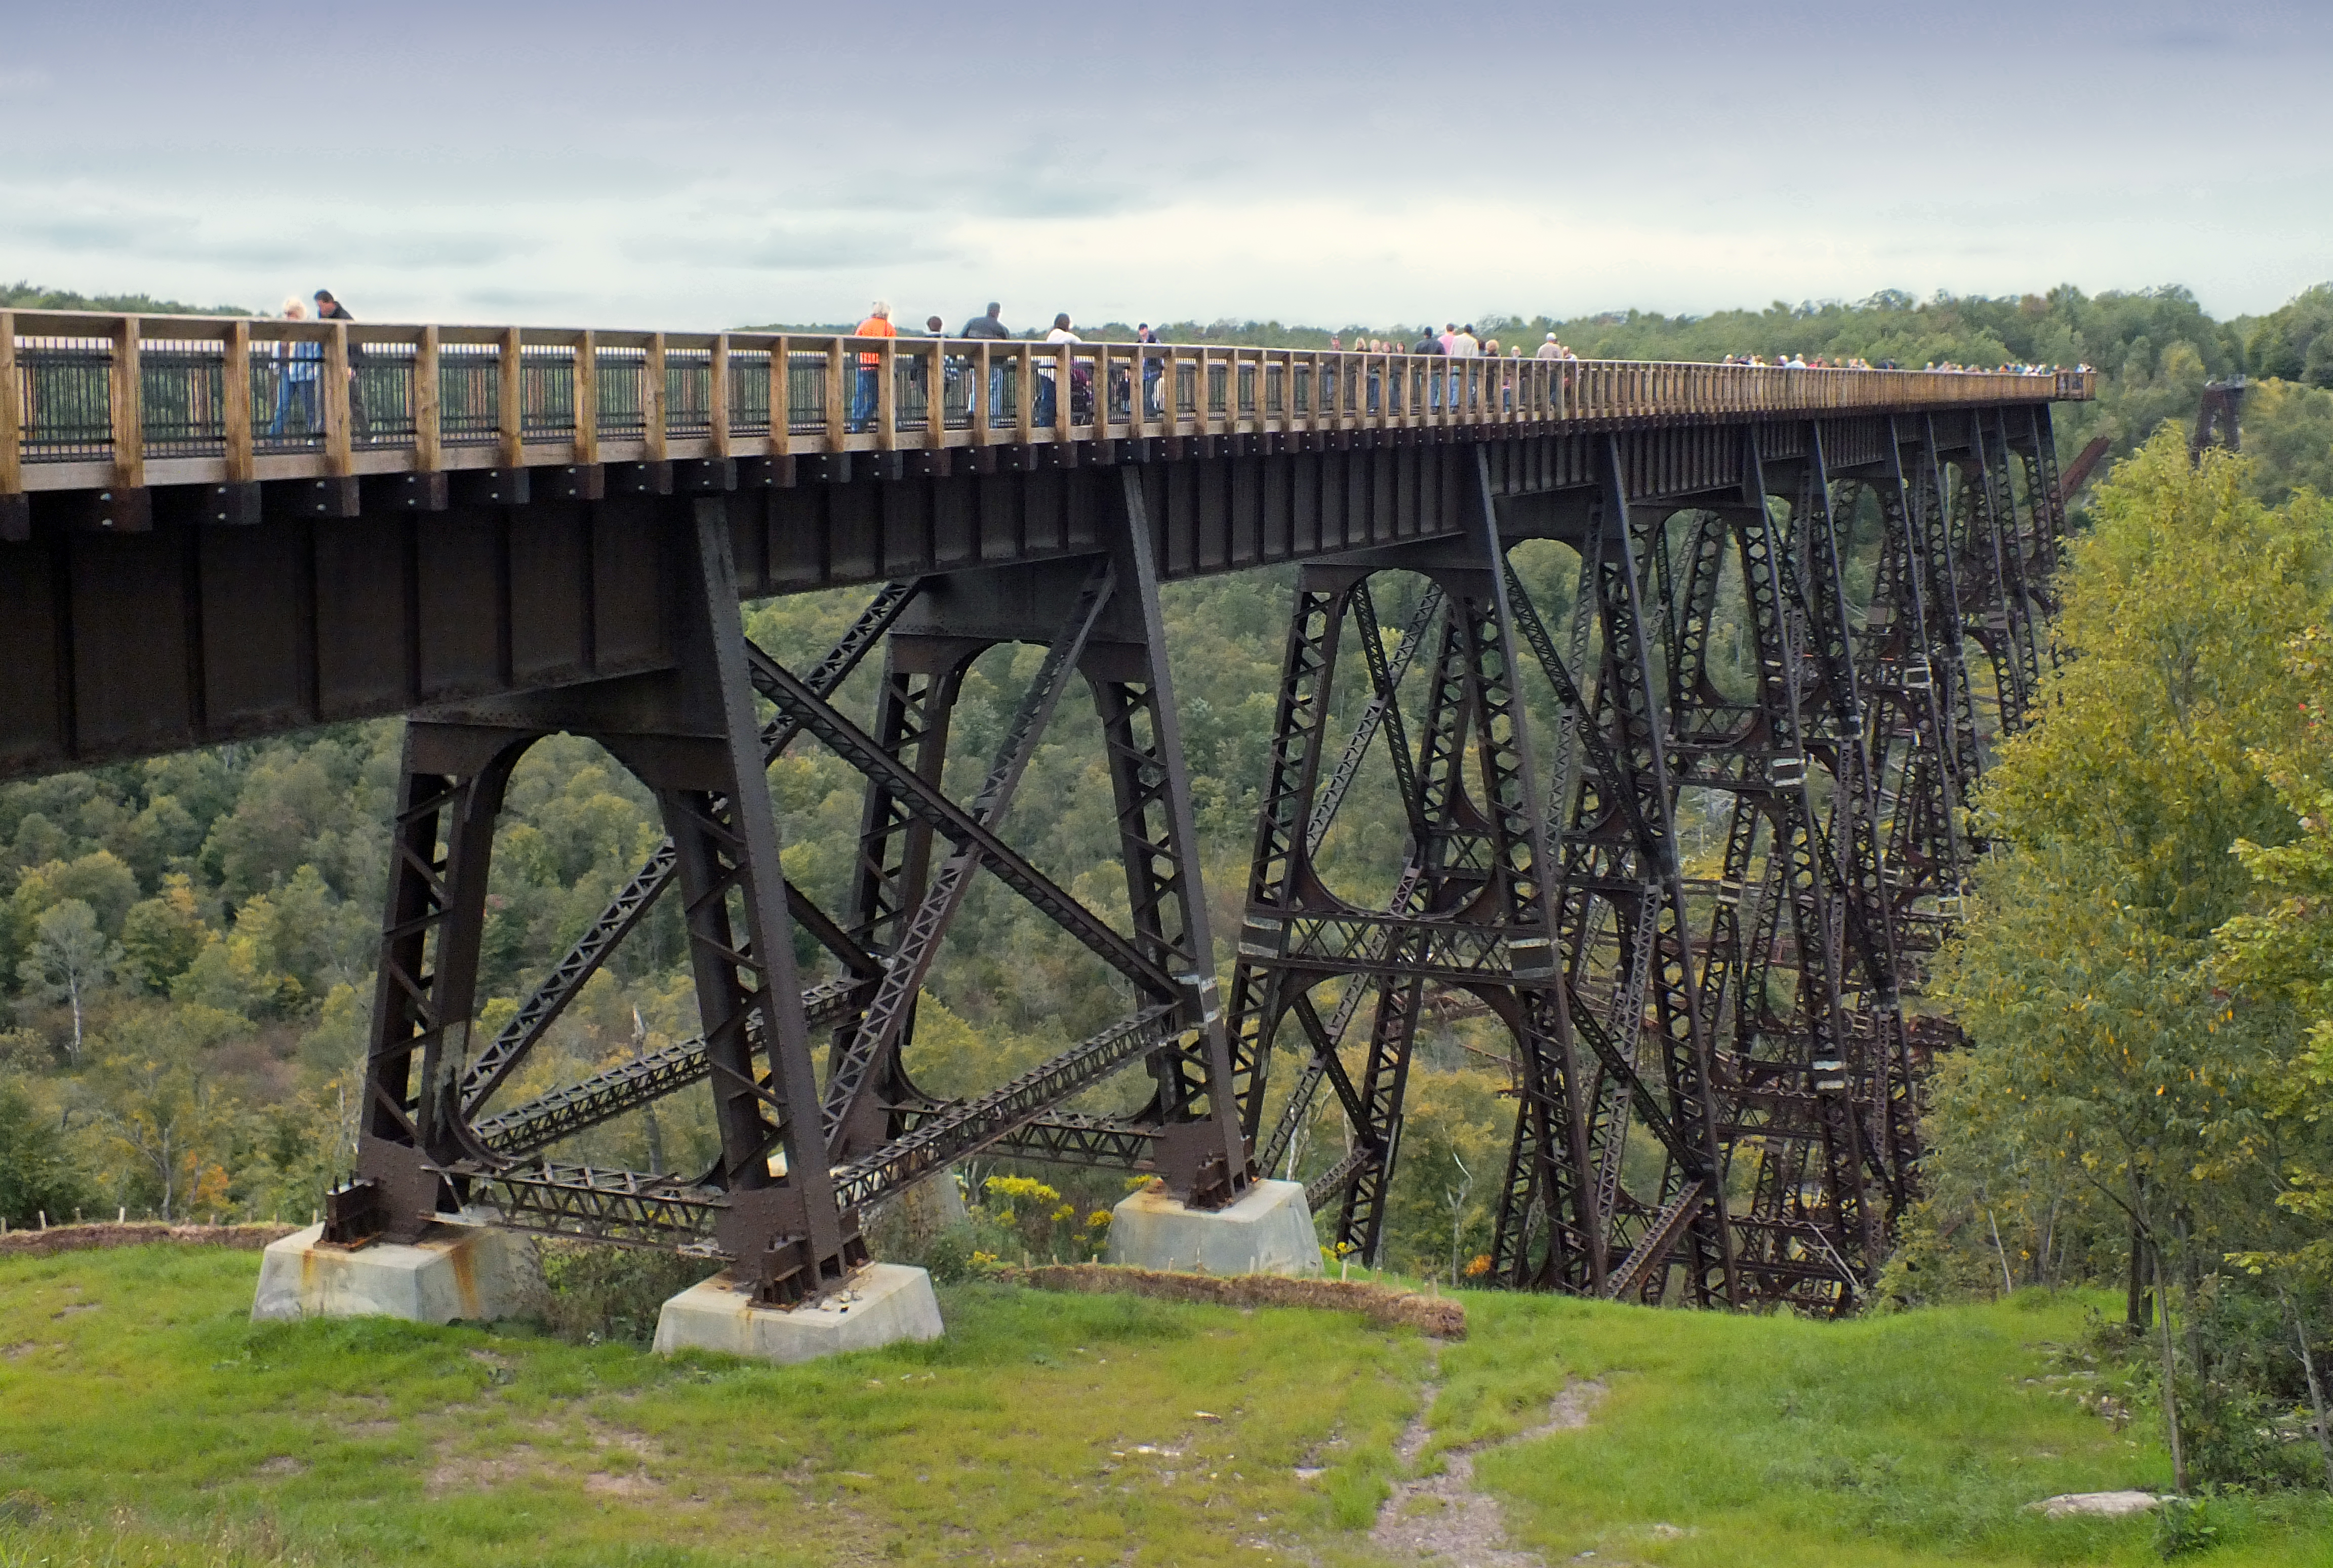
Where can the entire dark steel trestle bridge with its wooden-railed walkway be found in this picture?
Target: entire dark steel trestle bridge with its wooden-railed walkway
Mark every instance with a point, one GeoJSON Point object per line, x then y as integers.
{"type": "Point", "coordinates": [507, 533]}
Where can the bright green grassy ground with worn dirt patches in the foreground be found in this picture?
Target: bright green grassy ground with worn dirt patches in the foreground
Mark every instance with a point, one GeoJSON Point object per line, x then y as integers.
{"type": "Point", "coordinates": [143, 1420]}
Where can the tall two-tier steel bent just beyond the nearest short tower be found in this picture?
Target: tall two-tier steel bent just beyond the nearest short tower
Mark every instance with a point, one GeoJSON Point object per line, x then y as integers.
{"type": "Point", "coordinates": [1473, 906]}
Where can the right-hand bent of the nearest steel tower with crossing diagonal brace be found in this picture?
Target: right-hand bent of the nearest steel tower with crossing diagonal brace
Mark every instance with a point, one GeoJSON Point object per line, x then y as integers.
{"type": "Point", "coordinates": [1114, 636]}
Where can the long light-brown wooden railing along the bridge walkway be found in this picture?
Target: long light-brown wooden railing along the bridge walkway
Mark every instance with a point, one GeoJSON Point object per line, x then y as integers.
{"type": "Point", "coordinates": [120, 400]}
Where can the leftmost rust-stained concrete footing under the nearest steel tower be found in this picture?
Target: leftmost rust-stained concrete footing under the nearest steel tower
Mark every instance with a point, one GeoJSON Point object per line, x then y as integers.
{"type": "Point", "coordinates": [451, 1273]}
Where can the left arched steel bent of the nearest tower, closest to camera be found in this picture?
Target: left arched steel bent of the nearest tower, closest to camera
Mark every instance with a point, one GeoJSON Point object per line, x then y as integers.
{"type": "Point", "coordinates": [694, 743]}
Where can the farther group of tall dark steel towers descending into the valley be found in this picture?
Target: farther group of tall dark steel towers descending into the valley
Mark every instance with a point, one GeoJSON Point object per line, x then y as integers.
{"type": "Point", "coordinates": [1753, 1025]}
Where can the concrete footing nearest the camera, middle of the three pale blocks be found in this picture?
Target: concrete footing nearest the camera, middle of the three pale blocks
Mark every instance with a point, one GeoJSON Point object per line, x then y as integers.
{"type": "Point", "coordinates": [881, 1305]}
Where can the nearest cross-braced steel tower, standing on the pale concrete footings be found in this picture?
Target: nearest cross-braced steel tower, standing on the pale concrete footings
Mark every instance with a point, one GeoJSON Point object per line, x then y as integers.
{"type": "Point", "coordinates": [785, 1196]}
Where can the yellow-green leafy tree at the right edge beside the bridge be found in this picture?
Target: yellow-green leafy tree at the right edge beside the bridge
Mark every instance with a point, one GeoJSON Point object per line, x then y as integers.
{"type": "Point", "coordinates": [2138, 969]}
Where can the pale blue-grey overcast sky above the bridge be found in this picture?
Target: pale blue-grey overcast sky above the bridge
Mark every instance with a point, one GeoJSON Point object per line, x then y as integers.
{"type": "Point", "coordinates": [1366, 162]}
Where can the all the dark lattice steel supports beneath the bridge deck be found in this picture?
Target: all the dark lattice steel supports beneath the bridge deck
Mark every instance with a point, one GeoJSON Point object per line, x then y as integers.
{"type": "Point", "coordinates": [1746, 1023]}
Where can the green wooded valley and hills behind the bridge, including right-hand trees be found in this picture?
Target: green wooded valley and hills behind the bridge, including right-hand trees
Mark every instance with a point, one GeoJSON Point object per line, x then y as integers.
{"type": "Point", "coordinates": [188, 944]}
